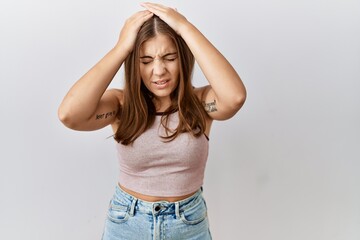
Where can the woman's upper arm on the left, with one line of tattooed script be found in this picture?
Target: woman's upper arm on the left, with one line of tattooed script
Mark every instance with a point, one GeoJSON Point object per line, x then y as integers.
{"type": "Point", "coordinates": [105, 113]}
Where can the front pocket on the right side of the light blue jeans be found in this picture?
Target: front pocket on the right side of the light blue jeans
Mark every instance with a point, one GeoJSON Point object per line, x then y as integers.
{"type": "Point", "coordinates": [195, 214]}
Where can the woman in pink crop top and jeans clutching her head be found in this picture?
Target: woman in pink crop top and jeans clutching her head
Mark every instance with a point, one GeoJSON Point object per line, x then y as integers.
{"type": "Point", "coordinates": [160, 121]}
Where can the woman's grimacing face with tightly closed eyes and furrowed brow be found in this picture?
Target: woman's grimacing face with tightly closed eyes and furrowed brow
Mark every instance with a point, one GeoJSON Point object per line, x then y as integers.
{"type": "Point", "coordinates": [159, 67]}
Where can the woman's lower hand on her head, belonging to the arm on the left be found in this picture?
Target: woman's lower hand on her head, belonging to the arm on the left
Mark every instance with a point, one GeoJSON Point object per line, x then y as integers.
{"type": "Point", "coordinates": [130, 30]}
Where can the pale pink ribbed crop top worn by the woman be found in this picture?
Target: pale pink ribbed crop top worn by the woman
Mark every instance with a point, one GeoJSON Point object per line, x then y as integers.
{"type": "Point", "coordinates": [153, 167]}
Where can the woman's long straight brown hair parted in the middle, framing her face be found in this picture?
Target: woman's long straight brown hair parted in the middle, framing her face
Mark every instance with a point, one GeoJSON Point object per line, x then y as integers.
{"type": "Point", "coordinates": [137, 112]}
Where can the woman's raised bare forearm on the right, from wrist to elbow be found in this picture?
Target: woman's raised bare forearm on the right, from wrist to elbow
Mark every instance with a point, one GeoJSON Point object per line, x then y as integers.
{"type": "Point", "coordinates": [222, 77]}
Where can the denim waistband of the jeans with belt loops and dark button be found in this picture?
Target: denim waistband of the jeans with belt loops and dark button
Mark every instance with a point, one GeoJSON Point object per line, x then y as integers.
{"type": "Point", "coordinates": [156, 208]}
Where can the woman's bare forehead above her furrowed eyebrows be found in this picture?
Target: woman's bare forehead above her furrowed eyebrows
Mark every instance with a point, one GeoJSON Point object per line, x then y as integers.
{"type": "Point", "coordinates": [158, 45]}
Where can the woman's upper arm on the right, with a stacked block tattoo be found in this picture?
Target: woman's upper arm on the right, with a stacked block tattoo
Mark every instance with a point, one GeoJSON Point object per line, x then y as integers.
{"type": "Point", "coordinates": [215, 109]}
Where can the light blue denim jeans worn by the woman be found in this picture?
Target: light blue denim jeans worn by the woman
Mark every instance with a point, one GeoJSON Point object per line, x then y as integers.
{"type": "Point", "coordinates": [131, 218]}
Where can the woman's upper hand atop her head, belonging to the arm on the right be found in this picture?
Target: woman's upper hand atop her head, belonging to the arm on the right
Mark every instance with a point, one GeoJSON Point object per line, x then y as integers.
{"type": "Point", "coordinates": [169, 15]}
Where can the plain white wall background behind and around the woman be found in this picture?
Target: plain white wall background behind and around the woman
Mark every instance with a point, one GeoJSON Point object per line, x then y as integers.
{"type": "Point", "coordinates": [285, 167]}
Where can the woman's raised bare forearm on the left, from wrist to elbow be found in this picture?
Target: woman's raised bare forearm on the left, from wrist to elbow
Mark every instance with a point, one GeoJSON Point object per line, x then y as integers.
{"type": "Point", "coordinates": [84, 96]}
